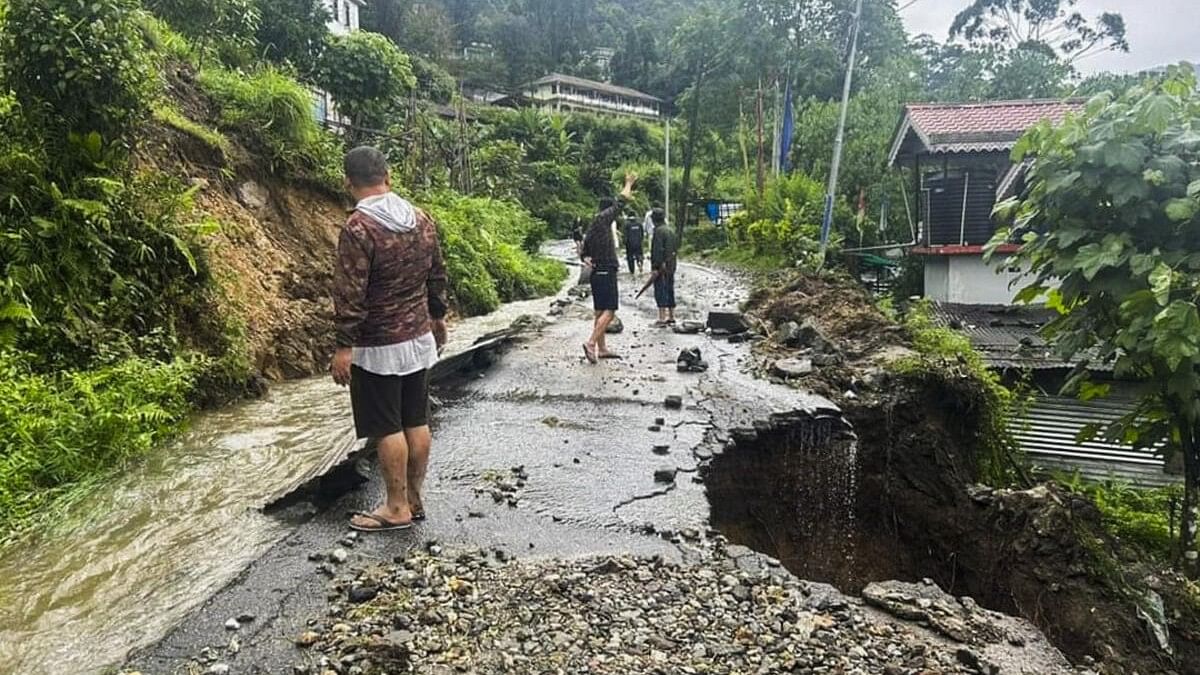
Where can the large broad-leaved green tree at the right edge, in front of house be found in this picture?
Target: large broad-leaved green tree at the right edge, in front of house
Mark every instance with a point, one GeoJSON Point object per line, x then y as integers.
{"type": "Point", "coordinates": [1109, 229]}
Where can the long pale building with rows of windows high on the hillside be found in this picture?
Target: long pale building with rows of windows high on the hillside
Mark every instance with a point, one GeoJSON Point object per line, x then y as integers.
{"type": "Point", "coordinates": [568, 94]}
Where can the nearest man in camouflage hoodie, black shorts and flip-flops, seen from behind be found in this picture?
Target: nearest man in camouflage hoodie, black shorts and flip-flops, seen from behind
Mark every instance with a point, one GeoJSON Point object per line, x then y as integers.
{"type": "Point", "coordinates": [391, 304]}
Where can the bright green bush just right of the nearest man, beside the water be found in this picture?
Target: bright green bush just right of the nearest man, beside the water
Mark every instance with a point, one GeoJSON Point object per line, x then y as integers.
{"type": "Point", "coordinates": [488, 249]}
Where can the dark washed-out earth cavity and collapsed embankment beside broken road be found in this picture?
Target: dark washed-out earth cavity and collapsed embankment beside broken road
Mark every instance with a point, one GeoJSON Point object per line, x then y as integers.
{"type": "Point", "coordinates": [902, 503]}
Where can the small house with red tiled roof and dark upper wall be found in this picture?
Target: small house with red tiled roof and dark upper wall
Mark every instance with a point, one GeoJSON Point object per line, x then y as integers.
{"type": "Point", "coordinates": [962, 168]}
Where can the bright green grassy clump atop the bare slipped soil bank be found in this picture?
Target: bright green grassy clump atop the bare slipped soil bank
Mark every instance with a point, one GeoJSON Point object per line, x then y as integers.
{"type": "Point", "coordinates": [274, 112]}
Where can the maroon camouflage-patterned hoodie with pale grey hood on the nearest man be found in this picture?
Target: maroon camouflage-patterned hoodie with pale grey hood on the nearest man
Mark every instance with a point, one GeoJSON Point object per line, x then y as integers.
{"type": "Point", "coordinates": [391, 279]}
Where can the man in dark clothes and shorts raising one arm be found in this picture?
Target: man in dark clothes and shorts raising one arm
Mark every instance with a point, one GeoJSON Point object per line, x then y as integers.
{"type": "Point", "coordinates": [599, 254]}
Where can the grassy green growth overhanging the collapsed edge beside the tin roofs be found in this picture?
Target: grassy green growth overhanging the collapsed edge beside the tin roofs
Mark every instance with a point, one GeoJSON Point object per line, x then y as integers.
{"type": "Point", "coordinates": [947, 361]}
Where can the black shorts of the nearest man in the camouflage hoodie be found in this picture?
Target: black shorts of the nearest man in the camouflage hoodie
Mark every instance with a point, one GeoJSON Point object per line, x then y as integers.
{"type": "Point", "coordinates": [389, 404]}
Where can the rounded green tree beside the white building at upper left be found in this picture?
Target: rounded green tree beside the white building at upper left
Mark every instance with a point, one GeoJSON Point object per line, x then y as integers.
{"type": "Point", "coordinates": [369, 77]}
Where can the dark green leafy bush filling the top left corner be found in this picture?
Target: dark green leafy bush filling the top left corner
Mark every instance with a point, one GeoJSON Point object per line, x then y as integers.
{"type": "Point", "coordinates": [77, 68]}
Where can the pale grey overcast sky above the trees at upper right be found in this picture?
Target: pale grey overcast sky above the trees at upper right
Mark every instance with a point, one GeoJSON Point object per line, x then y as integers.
{"type": "Point", "coordinates": [1160, 32]}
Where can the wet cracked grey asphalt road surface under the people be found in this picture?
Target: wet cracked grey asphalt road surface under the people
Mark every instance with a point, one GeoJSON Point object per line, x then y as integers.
{"type": "Point", "coordinates": [584, 435]}
